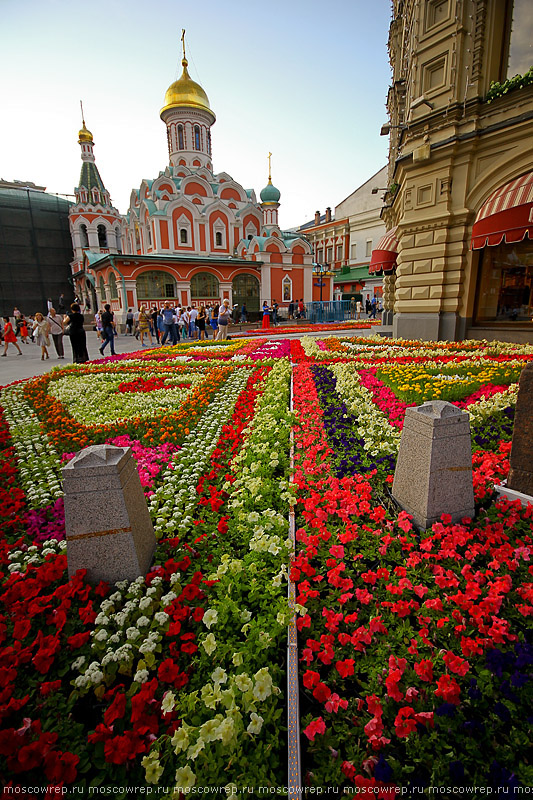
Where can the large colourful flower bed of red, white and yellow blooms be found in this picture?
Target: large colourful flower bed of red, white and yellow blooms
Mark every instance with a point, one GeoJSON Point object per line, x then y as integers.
{"type": "Point", "coordinates": [415, 650]}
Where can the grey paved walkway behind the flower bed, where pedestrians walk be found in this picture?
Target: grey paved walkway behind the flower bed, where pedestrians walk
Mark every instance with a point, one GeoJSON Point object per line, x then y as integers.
{"type": "Point", "coordinates": [16, 368]}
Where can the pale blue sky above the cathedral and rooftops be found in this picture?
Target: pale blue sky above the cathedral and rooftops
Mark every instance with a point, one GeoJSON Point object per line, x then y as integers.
{"type": "Point", "coordinates": [304, 79]}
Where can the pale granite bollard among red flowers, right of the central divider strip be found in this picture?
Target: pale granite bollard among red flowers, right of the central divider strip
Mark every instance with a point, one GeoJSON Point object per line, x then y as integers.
{"type": "Point", "coordinates": [434, 469]}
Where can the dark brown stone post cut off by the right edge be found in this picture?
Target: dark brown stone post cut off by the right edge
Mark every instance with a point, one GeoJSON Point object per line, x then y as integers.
{"type": "Point", "coordinates": [521, 459]}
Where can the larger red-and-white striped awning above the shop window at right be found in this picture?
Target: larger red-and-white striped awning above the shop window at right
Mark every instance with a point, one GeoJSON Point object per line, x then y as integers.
{"type": "Point", "coordinates": [507, 216]}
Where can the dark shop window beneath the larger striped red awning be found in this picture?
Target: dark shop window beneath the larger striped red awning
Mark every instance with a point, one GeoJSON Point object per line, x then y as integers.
{"type": "Point", "coordinates": [505, 284]}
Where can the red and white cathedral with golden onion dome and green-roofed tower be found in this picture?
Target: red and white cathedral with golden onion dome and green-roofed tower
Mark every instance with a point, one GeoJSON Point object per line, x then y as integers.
{"type": "Point", "coordinates": [190, 235]}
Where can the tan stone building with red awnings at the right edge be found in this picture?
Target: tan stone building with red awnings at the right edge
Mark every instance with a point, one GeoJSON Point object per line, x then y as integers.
{"type": "Point", "coordinates": [457, 257]}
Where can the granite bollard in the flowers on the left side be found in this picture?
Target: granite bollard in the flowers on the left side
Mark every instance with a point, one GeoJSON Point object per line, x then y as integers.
{"type": "Point", "coordinates": [108, 527]}
